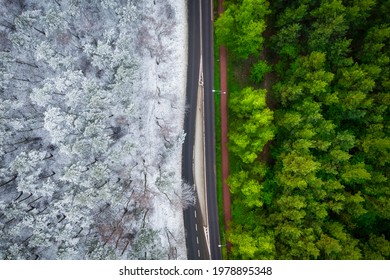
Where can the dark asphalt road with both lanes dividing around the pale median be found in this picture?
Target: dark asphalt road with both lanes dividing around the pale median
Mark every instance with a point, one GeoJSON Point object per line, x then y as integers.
{"type": "Point", "coordinates": [200, 24]}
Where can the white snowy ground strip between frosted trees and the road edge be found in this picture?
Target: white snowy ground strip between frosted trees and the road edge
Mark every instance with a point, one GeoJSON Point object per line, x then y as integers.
{"type": "Point", "coordinates": [164, 76]}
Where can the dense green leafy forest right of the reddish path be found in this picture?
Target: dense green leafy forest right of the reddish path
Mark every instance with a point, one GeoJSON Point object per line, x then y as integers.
{"type": "Point", "coordinates": [308, 128]}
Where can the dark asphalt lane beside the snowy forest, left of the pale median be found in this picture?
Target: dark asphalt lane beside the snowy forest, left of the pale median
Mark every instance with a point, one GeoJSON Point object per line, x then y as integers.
{"type": "Point", "coordinates": [195, 236]}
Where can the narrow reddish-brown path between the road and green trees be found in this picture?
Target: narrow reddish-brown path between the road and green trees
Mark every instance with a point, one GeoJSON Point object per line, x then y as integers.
{"type": "Point", "coordinates": [224, 135]}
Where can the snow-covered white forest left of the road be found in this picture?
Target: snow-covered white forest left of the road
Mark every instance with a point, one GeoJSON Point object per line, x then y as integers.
{"type": "Point", "coordinates": [92, 100]}
